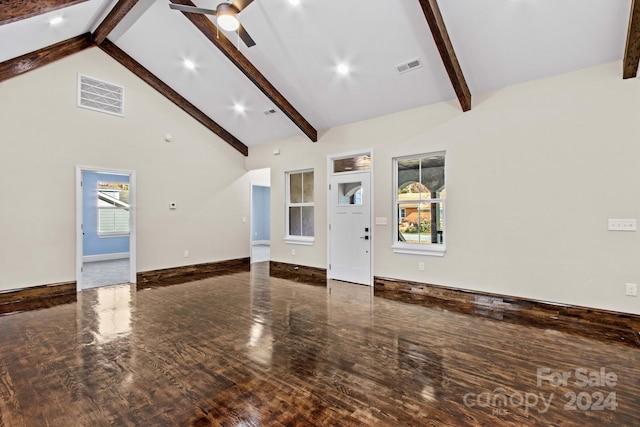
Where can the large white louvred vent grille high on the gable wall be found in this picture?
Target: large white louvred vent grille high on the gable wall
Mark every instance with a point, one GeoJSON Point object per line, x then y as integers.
{"type": "Point", "coordinates": [100, 96]}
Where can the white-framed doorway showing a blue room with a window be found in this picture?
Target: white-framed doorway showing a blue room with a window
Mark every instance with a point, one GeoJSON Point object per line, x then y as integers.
{"type": "Point", "coordinates": [105, 227]}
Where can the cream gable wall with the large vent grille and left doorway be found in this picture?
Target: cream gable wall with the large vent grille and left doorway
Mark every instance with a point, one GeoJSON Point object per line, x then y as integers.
{"type": "Point", "coordinates": [45, 135]}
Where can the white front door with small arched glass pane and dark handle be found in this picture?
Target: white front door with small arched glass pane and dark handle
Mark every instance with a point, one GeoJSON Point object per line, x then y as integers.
{"type": "Point", "coordinates": [350, 227]}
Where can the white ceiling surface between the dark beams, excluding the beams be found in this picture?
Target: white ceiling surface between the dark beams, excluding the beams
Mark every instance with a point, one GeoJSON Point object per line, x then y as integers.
{"type": "Point", "coordinates": [498, 43]}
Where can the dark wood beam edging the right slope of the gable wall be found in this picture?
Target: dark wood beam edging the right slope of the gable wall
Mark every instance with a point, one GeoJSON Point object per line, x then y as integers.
{"type": "Point", "coordinates": [136, 68]}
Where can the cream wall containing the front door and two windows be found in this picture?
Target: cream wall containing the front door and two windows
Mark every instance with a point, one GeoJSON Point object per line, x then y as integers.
{"type": "Point", "coordinates": [533, 173]}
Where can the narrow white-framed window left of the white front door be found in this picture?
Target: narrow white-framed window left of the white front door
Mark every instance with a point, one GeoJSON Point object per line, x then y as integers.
{"type": "Point", "coordinates": [300, 207]}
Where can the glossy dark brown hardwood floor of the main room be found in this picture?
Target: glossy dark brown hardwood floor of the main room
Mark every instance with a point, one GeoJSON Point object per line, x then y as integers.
{"type": "Point", "coordinates": [244, 349]}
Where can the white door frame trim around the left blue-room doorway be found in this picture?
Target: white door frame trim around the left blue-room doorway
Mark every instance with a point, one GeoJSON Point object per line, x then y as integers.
{"type": "Point", "coordinates": [79, 219]}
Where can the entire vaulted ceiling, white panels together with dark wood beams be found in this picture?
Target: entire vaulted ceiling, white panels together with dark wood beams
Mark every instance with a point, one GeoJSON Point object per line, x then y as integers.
{"type": "Point", "coordinates": [288, 84]}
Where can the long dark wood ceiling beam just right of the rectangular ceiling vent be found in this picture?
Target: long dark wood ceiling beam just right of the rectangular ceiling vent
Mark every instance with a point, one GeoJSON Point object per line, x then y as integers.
{"type": "Point", "coordinates": [447, 53]}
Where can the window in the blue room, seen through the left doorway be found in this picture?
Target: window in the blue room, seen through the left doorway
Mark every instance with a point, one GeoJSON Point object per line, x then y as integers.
{"type": "Point", "coordinates": [113, 209]}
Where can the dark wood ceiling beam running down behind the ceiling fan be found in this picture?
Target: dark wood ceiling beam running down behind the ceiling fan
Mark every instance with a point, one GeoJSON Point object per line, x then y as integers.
{"type": "Point", "coordinates": [209, 30]}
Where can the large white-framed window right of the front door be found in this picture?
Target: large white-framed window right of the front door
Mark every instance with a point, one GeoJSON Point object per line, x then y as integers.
{"type": "Point", "coordinates": [419, 201]}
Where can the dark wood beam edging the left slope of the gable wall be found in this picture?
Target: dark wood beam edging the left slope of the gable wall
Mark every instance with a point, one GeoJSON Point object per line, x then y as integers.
{"type": "Point", "coordinates": [31, 61]}
